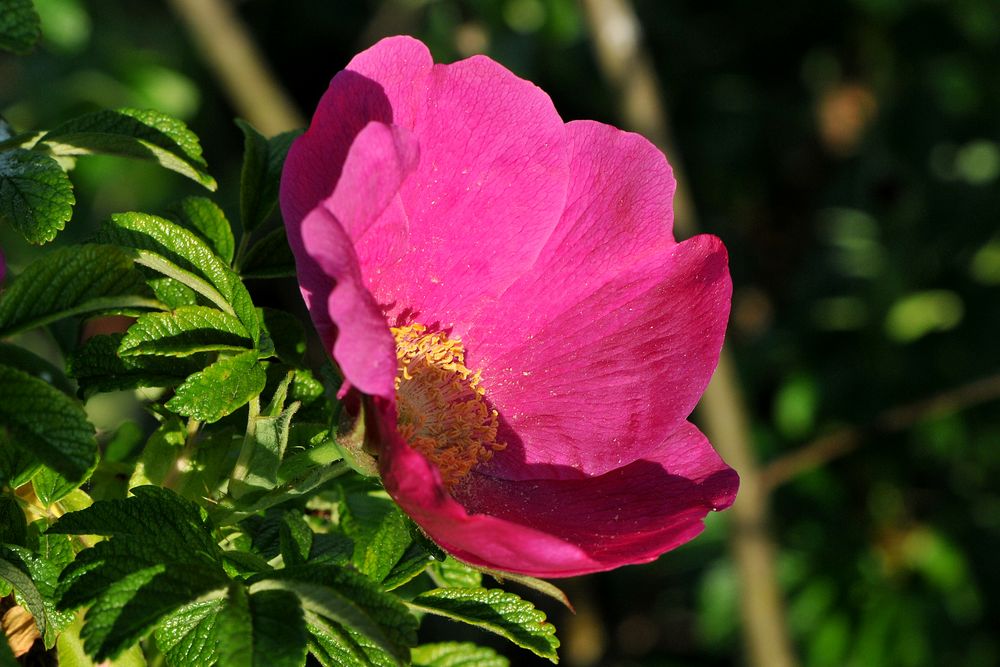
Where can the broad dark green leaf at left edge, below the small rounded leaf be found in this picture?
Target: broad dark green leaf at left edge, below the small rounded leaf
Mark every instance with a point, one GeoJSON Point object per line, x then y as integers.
{"type": "Point", "coordinates": [70, 281]}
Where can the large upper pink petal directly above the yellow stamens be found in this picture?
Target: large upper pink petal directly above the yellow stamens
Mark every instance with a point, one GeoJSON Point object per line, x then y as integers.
{"type": "Point", "coordinates": [489, 190]}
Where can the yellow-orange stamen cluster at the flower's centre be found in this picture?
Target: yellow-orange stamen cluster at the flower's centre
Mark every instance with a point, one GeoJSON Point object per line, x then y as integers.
{"type": "Point", "coordinates": [442, 413]}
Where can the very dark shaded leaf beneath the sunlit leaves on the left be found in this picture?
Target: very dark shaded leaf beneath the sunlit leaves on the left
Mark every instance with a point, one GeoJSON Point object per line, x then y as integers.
{"type": "Point", "coordinates": [96, 366]}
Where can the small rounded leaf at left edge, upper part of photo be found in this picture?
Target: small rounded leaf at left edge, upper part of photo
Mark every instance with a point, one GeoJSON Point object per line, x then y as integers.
{"type": "Point", "coordinates": [36, 196]}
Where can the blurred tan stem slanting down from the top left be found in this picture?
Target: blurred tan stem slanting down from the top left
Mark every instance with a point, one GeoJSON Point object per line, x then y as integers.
{"type": "Point", "coordinates": [229, 51]}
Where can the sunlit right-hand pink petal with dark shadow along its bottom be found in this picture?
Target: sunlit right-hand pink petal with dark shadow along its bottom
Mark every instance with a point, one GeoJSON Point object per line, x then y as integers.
{"type": "Point", "coordinates": [604, 377]}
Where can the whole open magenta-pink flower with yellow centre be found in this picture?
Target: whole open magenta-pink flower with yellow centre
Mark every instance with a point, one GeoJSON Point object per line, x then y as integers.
{"type": "Point", "coordinates": [507, 288]}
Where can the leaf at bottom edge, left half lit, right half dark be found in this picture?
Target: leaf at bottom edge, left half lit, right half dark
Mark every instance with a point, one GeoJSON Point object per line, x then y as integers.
{"type": "Point", "coordinates": [263, 629]}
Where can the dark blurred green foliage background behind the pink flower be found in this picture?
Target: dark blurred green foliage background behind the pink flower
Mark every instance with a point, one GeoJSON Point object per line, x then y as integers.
{"type": "Point", "coordinates": [848, 152]}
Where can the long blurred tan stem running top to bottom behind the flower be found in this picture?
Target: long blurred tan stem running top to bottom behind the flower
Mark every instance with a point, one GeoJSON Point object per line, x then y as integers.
{"type": "Point", "coordinates": [625, 64]}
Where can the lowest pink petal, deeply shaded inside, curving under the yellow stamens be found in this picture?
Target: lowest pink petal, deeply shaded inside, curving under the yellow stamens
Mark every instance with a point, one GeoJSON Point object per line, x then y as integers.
{"type": "Point", "coordinates": [562, 528]}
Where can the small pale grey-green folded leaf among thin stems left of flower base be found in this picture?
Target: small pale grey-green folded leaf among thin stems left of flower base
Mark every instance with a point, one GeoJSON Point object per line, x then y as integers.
{"type": "Point", "coordinates": [257, 468]}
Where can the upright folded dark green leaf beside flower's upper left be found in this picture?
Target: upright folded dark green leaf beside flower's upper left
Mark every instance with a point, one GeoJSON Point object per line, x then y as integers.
{"type": "Point", "coordinates": [259, 179]}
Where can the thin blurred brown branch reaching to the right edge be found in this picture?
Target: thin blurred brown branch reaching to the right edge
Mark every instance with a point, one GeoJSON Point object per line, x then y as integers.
{"type": "Point", "coordinates": [824, 449]}
